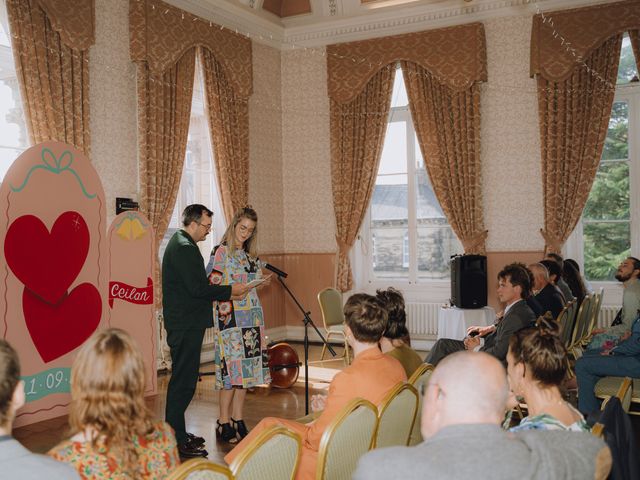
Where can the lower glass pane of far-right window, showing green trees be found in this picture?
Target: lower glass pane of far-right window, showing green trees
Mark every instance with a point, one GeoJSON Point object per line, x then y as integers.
{"type": "Point", "coordinates": [605, 246]}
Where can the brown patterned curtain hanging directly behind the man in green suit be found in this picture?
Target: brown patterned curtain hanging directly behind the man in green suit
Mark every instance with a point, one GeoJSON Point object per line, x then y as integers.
{"type": "Point", "coordinates": [164, 111]}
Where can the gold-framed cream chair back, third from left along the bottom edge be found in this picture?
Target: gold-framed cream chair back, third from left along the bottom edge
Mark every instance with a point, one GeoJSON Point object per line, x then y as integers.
{"type": "Point", "coordinates": [348, 437]}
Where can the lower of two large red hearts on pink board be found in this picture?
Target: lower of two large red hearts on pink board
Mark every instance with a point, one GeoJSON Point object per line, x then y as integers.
{"type": "Point", "coordinates": [58, 329]}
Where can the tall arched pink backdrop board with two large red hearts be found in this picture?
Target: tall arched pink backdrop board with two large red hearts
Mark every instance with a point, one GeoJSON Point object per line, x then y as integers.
{"type": "Point", "coordinates": [53, 280]}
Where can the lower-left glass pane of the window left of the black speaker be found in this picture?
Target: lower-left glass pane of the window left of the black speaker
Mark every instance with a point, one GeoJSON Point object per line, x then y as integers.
{"type": "Point", "coordinates": [388, 248]}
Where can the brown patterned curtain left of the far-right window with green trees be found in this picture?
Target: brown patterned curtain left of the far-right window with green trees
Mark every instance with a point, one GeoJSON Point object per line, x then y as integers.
{"type": "Point", "coordinates": [574, 115]}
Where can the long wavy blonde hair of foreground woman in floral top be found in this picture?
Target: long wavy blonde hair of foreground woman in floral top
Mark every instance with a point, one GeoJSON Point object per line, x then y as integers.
{"type": "Point", "coordinates": [107, 392]}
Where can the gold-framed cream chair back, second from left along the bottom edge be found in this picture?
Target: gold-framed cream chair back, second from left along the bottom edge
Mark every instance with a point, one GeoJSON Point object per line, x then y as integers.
{"type": "Point", "coordinates": [273, 455]}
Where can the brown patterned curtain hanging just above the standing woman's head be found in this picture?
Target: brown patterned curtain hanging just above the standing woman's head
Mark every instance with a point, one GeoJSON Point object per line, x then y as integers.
{"type": "Point", "coordinates": [228, 114]}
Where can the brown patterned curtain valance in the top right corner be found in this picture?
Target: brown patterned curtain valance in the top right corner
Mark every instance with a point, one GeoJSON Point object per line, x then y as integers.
{"type": "Point", "coordinates": [563, 39]}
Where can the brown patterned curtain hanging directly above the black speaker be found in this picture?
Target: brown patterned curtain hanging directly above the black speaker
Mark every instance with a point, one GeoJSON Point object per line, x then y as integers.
{"type": "Point", "coordinates": [447, 124]}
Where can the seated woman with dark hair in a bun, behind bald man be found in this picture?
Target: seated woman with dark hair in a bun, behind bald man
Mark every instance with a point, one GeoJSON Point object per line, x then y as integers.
{"type": "Point", "coordinates": [537, 366]}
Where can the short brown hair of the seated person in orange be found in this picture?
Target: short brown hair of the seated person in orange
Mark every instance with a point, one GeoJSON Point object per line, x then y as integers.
{"type": "Point", "coordinates": [366, 316]}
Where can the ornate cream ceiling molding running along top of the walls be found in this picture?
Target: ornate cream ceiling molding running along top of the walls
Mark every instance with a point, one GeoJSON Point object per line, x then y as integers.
{"type": "Point", "coordinates": [313, 31]}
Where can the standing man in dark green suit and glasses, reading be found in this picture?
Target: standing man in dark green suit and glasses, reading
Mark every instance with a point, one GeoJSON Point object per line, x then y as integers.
{"type": "Point", "coordinates": [187, 312]}
